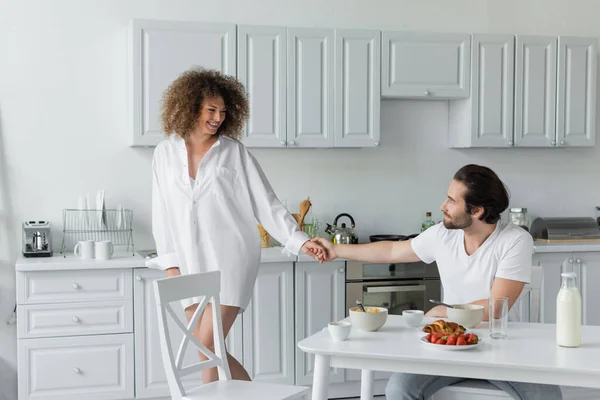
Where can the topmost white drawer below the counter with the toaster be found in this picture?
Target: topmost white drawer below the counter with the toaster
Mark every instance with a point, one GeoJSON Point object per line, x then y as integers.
{"type": "Point", "coordinates": [74, 286]}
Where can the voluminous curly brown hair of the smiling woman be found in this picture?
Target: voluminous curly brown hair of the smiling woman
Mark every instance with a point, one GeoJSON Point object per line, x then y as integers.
{"type": "Point", "coordinates": [183, 99]}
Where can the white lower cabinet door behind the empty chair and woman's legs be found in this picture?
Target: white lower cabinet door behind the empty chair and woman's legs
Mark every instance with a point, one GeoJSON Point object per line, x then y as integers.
{"type": "Point", "coordinates": [150, 379]}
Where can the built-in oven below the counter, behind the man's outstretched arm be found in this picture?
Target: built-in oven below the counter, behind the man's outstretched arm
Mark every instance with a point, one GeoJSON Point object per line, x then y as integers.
{"type": "Point", "coordinates": [397, 287]}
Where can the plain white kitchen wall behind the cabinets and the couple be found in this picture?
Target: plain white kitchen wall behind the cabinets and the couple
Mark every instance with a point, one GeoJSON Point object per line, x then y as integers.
{"type": "Point", "coordinates": [64, 124]}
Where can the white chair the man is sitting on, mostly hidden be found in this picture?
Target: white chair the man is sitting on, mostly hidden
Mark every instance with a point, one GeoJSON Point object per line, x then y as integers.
{"type": "Point", "coordinates": [480, 389]}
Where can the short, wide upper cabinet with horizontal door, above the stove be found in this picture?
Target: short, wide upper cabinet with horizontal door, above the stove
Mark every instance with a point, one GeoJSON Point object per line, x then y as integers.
{"type": "Point", "coordinates": [425, 65]}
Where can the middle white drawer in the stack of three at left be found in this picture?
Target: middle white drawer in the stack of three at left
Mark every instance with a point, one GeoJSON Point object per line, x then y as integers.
{"type": "Point", "coordinates": [72, 319]}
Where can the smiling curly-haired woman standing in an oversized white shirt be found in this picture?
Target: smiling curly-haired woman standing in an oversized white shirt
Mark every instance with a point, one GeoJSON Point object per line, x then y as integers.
{"type": "Point", "coordinates": [208, 193]}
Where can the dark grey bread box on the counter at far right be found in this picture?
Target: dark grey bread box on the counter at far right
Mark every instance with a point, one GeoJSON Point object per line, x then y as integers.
{"type": "Point", "coordinates": [568, 229]}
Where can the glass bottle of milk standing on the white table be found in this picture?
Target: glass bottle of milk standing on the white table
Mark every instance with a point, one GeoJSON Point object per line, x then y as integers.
{"type": "Point", "coordinates": [568, 312]}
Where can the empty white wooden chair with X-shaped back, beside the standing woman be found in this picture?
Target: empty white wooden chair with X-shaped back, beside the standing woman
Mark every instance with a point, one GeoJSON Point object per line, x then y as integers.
{"type": "Point", "coordinates": [206, 286]}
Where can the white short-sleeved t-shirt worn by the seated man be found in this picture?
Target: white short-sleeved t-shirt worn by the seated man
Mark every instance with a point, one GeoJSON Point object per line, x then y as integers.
{"type": "Point", "coordinates": [507, 253]}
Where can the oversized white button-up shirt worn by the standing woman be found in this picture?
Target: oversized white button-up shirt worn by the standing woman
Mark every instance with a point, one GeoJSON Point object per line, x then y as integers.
{"type": "Point", "coordinates": [210, 223]}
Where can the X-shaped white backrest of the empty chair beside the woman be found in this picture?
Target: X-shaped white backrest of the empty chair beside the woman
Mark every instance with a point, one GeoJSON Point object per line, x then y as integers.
{"type": "Point", "coordinates": [173, 289]}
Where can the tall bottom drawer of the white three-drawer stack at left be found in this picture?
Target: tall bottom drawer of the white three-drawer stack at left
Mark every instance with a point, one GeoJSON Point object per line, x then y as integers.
{"type": "Point", "coordinates": [75, 368]}
